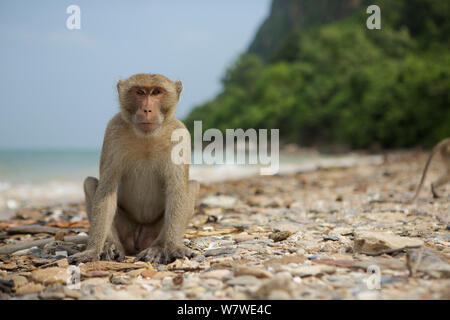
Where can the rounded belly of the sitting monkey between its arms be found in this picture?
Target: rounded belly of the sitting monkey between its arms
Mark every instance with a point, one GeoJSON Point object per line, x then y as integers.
{"type": "Point", "coordinates": [141, 195]}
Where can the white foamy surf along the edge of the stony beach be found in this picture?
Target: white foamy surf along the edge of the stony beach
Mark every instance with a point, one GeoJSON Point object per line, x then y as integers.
{"type": "Point", "coordinates": [61, 190]}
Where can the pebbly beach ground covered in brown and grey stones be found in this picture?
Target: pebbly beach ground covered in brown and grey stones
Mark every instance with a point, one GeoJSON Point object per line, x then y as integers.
{"type": "Point", "coordinates": [335, 232]}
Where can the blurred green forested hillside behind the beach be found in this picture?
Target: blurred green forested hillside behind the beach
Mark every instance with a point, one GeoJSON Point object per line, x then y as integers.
{"type": "Point", "coordinates": [318, 74]}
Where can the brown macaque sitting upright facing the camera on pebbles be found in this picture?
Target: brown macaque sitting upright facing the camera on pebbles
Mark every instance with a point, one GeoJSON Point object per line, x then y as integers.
{"type": "Point", "coordinates": [142, 201]}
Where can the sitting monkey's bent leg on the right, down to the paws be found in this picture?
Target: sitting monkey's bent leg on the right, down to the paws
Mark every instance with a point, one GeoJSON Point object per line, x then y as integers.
{"type": "Point", "coordinates": [165, 252]}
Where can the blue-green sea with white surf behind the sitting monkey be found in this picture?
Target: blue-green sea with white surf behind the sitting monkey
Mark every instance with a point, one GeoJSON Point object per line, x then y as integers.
{"type": "Point", "coordinates": [47, 177]}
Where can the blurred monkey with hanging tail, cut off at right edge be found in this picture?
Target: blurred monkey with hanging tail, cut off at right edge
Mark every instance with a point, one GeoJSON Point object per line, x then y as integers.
{"type": "Point", "coordinates": [444, 148]}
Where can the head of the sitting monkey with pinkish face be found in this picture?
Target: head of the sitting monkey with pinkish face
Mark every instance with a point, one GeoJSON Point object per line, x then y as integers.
{"type": "Point", "coordinates": [147, 100]}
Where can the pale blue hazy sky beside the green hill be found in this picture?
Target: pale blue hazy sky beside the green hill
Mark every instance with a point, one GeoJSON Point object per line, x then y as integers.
{"type": "Point", "coordinates": [58, 86]}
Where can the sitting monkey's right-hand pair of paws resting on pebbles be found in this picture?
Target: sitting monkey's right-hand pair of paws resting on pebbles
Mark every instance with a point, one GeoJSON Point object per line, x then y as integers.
{"type": "Point", "coordinates": [161, 255]}
